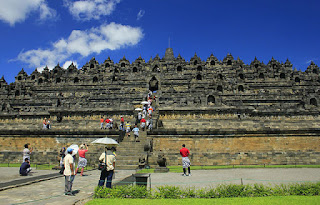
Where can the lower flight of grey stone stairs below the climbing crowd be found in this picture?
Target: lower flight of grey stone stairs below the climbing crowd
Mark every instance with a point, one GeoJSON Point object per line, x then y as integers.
{"type": "Point", "coordinates": [129, 151]}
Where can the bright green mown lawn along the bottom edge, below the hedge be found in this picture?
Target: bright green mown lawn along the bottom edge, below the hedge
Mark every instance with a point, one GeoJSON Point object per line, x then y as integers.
{"type": "Point", "coordinates": [274, 200]}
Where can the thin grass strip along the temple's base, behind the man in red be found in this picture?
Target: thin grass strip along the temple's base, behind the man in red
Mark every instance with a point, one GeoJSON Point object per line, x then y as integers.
{"type": "Point", "coordinates": [178, 169]}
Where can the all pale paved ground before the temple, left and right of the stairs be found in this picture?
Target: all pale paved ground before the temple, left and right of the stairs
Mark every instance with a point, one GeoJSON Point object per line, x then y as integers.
{"type": "Point", "coordinates": [51, 191]}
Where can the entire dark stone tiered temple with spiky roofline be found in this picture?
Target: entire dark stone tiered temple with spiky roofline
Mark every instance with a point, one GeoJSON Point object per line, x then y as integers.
{"type": "Point", "coordinates": [225, 111]}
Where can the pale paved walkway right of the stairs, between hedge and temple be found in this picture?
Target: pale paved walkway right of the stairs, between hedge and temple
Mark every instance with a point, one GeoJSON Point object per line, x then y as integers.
{"type": "Point", "coordinates": [211, 178]}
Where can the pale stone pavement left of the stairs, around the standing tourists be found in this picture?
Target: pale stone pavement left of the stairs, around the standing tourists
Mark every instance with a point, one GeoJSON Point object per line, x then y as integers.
{"type": "Point", "coordinates": [52, 191]}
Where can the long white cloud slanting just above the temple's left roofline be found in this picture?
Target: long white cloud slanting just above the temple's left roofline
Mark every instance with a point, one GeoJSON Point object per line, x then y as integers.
{"type": "Point", "coordinates": [84, 43]}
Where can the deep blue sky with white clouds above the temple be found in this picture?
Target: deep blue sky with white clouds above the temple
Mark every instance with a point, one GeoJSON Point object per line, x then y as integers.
{"type": "Point", "coordinates": [36, 33]}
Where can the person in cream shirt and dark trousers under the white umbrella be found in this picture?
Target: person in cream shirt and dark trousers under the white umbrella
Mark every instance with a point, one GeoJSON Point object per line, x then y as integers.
{"type": "Point", "coordinates": [109, 159]}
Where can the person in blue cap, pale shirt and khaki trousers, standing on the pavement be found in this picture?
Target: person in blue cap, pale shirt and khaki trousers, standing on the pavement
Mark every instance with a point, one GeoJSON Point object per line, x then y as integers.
{"type": "Point", "coordinates": [69, 172]}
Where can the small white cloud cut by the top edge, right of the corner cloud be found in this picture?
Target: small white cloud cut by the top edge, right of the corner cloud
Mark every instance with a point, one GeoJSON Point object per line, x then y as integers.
{"type": "Point", "coordinates": [90, 9]}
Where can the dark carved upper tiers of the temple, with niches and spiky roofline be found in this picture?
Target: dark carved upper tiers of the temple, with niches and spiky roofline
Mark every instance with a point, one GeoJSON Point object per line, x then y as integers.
{"type": "Point", "coordinates": [272, 88]}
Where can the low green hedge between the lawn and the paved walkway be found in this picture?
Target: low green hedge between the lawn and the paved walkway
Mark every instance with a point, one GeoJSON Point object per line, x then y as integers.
{"type": "Point", "coordinates": [221, 191]}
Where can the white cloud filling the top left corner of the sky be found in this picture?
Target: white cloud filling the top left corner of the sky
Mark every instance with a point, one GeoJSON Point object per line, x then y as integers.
{"type": "Point", "coordinates": [15, 11]}
